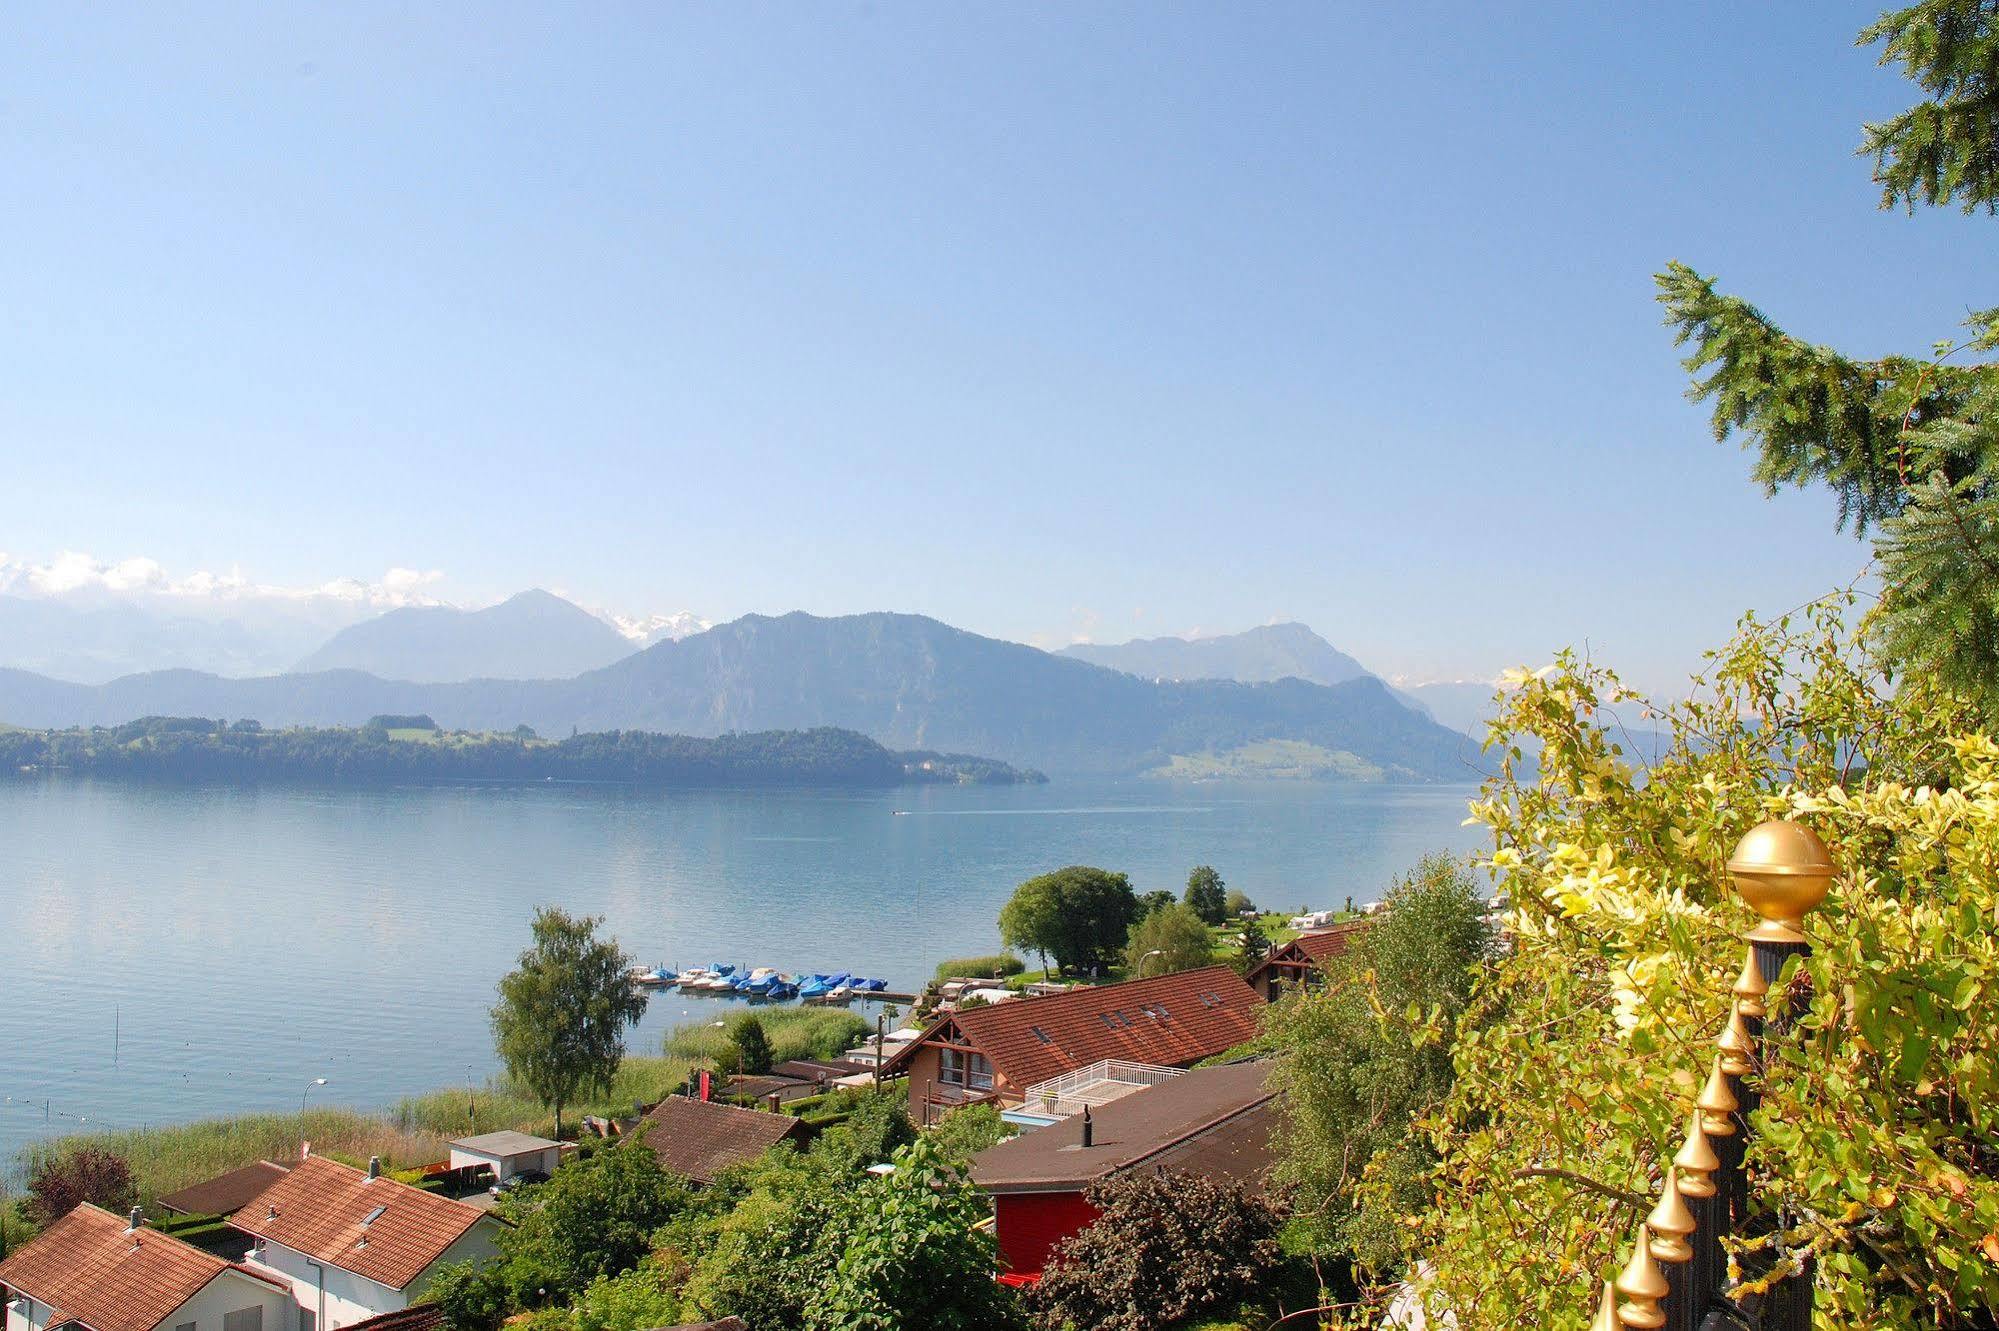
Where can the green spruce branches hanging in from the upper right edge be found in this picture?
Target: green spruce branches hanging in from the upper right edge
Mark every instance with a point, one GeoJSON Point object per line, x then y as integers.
{"type": "Point", "coordinates": [1908, 445]}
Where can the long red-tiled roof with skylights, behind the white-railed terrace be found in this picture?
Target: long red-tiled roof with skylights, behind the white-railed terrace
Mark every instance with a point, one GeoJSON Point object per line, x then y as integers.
{"type": "Point", "coordinates": [1170, 1020]}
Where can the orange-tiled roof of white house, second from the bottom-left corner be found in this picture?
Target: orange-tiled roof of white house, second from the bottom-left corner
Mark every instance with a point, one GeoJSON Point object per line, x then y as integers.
{"type": "Point", "coordinates": [321, 1210]}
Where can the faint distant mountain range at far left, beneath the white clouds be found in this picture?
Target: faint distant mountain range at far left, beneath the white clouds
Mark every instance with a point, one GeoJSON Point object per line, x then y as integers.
{"type": "Point", "coordinates": [97, 643]}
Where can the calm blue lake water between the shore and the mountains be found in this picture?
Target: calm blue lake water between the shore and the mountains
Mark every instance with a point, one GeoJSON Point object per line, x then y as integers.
{"type": "Point", "coordinates": [177, 954]}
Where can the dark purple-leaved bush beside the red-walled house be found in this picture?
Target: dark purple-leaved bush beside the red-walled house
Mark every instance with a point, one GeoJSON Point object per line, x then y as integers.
{"type": "Point", "coordinates": [1166, 1246]}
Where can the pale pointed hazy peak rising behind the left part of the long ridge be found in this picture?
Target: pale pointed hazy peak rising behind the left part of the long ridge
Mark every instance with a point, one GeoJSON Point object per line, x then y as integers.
{"type": "Point", "coordinates": [529, 637]}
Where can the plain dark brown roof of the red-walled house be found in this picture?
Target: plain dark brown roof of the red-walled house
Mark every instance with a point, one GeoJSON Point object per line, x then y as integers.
{"type": "Point", "coordinates": [1214, 1122]}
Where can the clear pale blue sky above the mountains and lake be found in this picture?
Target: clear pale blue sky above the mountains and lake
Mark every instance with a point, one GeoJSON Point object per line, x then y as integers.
{"type": "Point", "coordinates": [1046, 321]}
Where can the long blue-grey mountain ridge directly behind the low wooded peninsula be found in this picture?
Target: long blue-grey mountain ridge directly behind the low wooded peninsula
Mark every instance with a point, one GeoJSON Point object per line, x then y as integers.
{"type": "Point", "coordinates": [905, 680]}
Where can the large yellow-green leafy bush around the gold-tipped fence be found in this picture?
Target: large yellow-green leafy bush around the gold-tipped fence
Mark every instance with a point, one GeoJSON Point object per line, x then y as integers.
{"type": "Point", "coordinates": [1876, 1134]}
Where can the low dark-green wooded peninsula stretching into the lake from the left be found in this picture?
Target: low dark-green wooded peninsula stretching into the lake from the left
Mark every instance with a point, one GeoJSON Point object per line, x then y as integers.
{"type": "Point", "coordinates": [415, 750]}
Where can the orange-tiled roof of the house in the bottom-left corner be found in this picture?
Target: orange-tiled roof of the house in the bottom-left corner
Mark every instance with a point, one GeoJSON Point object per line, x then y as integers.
{"type": "Point", "coordinates": [91, 1268]}
